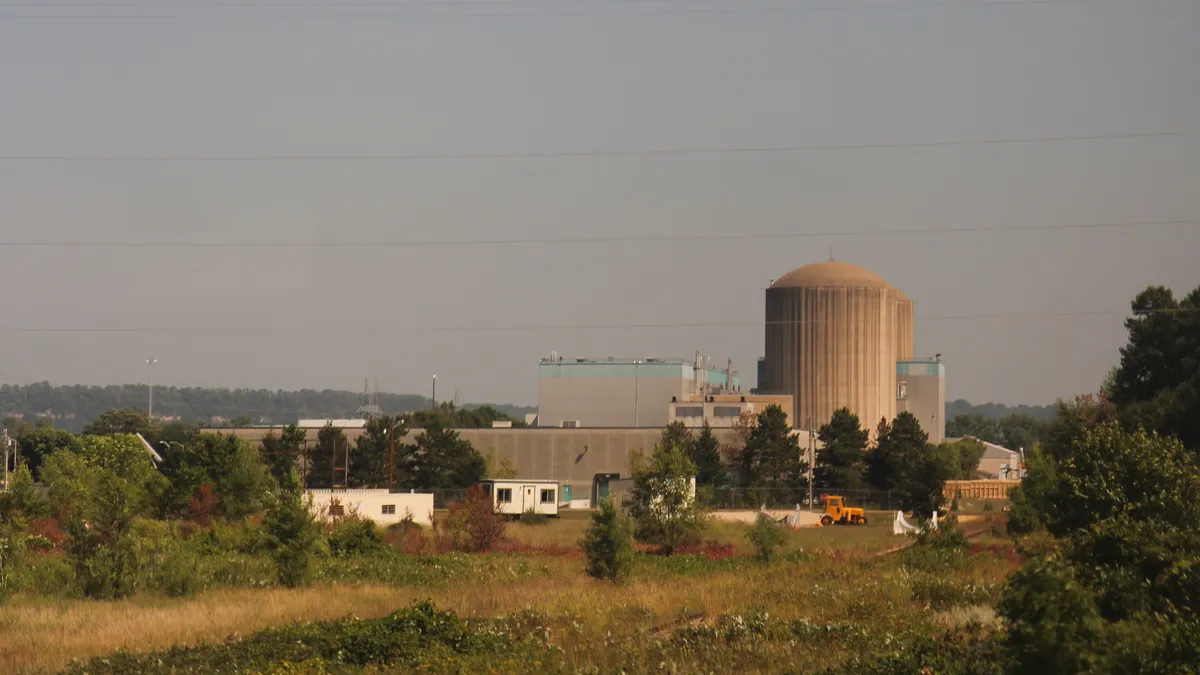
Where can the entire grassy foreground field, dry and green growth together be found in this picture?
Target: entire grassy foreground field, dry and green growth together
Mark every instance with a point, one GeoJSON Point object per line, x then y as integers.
{"type": "Point", "coordinates": [692, 613]}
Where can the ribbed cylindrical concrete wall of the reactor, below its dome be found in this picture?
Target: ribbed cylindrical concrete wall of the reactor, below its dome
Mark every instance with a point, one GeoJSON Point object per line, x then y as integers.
{"type": "Point", "coordinates": [833, 348]}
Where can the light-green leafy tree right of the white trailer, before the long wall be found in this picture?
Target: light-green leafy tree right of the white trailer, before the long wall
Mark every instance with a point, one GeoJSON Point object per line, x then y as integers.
{"type": "Point", "coordinates": [663, 504]}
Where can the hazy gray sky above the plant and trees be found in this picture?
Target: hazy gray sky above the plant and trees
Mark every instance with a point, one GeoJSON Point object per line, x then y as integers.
{"type": "Point", "coordinates": [581, 76]}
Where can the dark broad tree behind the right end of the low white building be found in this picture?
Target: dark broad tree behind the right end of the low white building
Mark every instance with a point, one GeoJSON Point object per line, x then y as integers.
{"type": "Point", "coordinates": [441, 459]}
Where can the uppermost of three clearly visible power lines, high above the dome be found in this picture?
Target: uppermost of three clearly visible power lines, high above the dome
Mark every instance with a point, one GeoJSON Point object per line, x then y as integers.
{"type": "Point", "coordinates": [617, 153]}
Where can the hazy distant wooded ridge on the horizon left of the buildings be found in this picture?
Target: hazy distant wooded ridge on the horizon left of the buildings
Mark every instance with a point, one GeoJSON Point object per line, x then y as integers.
{"type": "Point", "coordinates": [74, 407]}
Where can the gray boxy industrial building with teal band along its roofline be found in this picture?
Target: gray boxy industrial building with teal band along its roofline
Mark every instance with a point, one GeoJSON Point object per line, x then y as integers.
{"type": "Point", "coordinates": [623, 393]}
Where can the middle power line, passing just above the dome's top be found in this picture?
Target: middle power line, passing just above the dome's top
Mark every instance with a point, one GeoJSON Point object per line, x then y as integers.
{"type": "Point", "coordinates": [586, 241]}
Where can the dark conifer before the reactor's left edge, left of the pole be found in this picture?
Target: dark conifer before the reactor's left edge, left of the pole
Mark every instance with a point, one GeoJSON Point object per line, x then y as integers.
{"type": "Point", "coordinates": [772, 457]}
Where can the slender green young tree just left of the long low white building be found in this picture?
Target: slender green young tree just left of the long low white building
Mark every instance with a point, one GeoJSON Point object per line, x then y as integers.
{"type": "Point", "coordinates": [292, 533]}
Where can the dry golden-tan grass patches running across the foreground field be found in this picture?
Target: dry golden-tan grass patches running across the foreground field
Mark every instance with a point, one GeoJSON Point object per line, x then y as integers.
{"type": "Point", "coordinates": [844, 584]}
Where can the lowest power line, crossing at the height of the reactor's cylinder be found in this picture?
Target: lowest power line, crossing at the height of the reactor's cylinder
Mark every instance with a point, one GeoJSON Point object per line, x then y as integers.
{"type": "Point", "coordinates": [521, 328]}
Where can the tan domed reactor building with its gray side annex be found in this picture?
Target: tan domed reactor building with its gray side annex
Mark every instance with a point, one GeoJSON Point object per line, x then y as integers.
{"type": "Point", "coordinates": [839, 336]}
